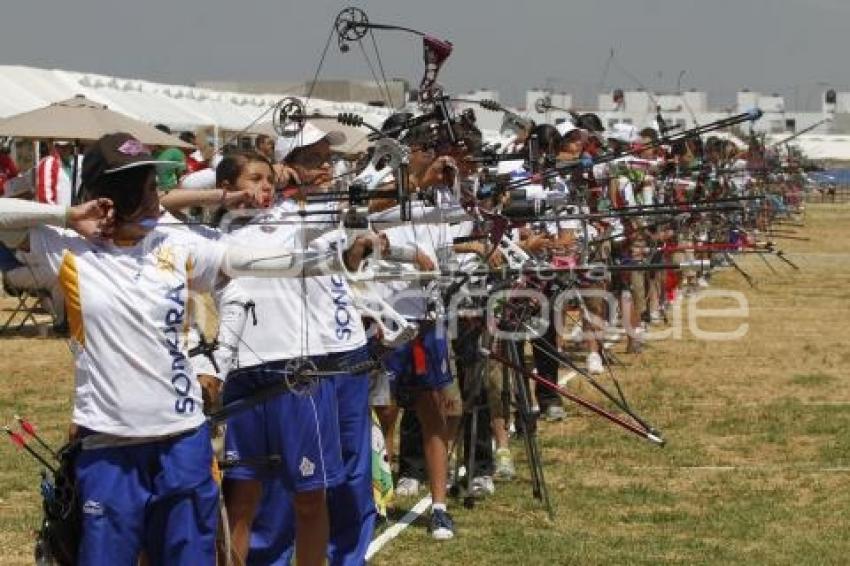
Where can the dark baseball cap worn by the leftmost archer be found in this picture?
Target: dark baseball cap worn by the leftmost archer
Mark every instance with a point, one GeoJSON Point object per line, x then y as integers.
{"type": "Point", "coordinates": [118, 152]}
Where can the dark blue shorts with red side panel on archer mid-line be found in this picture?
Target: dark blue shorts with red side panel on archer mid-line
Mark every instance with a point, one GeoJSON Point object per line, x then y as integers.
{"type": "Point", "coordinates": [420, 365]}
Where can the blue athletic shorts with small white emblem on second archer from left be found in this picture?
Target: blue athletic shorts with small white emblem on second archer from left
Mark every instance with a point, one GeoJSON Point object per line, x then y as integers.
{"type": "Point", "coordinates": [292, 436]}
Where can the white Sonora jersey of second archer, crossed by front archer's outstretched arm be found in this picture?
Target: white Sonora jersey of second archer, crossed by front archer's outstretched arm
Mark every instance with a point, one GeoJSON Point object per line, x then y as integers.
{"type": "Point", "coordinates": [297, 316]}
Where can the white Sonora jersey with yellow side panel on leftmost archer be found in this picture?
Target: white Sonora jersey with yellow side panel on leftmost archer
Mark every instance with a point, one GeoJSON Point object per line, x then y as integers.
{"type": "Point", "coordinates": [127, 311]}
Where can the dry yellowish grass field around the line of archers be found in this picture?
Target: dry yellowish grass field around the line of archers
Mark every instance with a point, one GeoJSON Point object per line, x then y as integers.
{"type": "Point", "coordinates": [756, 468]}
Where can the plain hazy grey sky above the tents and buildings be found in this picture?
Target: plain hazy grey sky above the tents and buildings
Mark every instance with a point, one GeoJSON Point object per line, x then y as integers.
{"type": "Point", "coordinates": [795, 48]}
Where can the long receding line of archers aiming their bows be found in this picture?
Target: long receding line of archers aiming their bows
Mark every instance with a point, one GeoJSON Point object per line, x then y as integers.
{"type": "Point", "coordinates": [433, 276]}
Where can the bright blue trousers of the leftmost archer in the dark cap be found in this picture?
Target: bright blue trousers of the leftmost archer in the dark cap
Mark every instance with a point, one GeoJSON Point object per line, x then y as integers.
{"type": "Point", "coordinates": [159, 497]}
